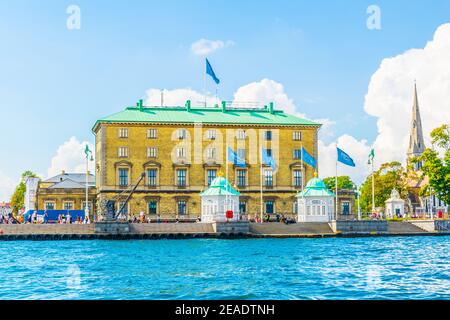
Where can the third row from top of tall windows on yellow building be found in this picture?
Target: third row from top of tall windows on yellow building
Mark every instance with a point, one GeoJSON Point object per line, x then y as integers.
{"type": "Point", "coordinates": [211, 174]}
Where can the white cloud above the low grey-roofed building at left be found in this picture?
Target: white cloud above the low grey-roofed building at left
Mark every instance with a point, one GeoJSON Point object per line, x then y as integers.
{"type": "Point", "coordinates": [71, 158]}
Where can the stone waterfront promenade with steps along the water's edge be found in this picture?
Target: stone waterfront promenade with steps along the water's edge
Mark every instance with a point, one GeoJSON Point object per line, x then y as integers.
{"type": "Point", "coordinates": [224, 230]}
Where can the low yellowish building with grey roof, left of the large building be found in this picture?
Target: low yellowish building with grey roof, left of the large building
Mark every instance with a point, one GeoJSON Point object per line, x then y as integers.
{"type": "Point", "coordinates": [66, 191]}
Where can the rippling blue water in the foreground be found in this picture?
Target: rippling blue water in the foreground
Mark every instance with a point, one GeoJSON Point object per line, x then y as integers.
{"type": "Point", "coordinates": [352, 268]}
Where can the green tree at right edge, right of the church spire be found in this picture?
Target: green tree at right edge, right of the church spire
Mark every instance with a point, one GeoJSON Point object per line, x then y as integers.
{"type": "Point", "coordinates": [435, 167]}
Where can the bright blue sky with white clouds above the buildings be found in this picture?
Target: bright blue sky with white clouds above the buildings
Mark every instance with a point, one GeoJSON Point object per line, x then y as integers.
{"type": "Point", "coordinates": [317, 59]}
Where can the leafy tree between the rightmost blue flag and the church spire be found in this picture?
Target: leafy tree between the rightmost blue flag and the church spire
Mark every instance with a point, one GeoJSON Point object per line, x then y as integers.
{"type": "Point", "coordinates": [390, 176]}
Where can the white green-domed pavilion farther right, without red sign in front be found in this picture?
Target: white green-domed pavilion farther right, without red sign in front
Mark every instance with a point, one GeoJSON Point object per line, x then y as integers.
{"type": "Point", "coordinates": [315, 202]}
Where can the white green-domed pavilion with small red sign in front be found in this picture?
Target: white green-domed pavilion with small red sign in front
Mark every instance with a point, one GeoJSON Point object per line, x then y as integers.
{"type": "Point", "coordinates": [214, 201]}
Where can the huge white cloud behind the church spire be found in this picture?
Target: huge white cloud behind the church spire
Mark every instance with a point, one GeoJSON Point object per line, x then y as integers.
{"type": "Point", "coordinates": [390, 95]}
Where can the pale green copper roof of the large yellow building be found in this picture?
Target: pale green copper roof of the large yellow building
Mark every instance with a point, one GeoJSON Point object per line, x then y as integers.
{"type": "Point", "coordinates": [266, 116]}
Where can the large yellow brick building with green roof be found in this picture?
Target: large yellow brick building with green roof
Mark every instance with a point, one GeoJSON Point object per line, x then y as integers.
{"type": "Point", "coordinates": [181, 149]}
